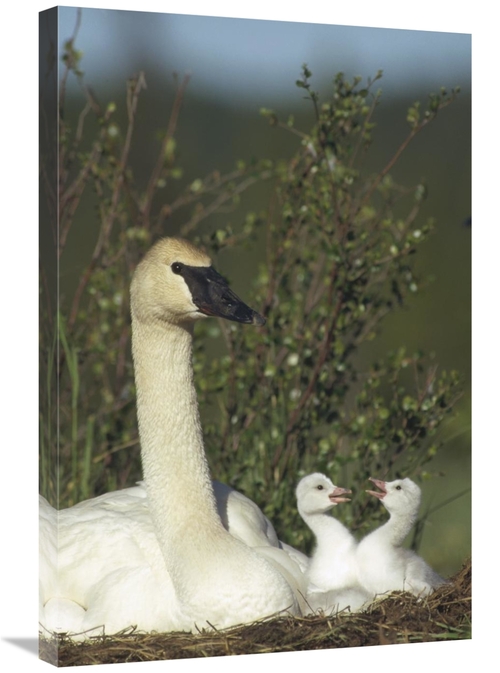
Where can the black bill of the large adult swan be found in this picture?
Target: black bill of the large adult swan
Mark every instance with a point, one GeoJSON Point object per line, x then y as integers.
{"type": "Point", "coordinates": [213, 296]}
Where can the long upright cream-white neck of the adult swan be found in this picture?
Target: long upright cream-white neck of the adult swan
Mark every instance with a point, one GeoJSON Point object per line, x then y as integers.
{"type": "Point", "coordinates": [176, 473]}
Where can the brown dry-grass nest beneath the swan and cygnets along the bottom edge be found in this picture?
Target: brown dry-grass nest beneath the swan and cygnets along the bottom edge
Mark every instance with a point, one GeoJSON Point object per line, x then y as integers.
{"type": "Point", "coordinates": [399, 618]}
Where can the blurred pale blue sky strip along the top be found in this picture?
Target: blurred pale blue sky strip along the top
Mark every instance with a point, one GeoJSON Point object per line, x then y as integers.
{"type": "Point", "coordinates": [244, 61]}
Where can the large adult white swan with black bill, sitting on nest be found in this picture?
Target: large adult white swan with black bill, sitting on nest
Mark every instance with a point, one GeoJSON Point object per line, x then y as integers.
{"type": "Point", "coordinates": [157, 555]}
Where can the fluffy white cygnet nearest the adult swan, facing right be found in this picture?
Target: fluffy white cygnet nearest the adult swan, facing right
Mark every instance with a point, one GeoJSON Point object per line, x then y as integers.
{"type": "Point", "coordinates": [332, 577]}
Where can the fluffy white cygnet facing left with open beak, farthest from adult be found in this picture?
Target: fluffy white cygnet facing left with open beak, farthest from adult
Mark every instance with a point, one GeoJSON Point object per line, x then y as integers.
{"type": "Point", "coordinates": [383, 564]}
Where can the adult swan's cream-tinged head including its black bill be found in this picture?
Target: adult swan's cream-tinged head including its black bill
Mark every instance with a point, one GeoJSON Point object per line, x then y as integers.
{"type": "Point", "coordinates": [176, 283]}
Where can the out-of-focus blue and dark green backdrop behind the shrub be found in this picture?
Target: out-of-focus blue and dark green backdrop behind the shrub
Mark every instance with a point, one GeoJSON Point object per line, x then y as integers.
{"type": "Point", "coordinates": [239, 66]}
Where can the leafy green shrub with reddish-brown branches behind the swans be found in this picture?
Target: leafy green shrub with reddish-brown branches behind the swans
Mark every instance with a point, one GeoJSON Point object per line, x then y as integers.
{"type": "Point", "coordinates": [279, 401]}
